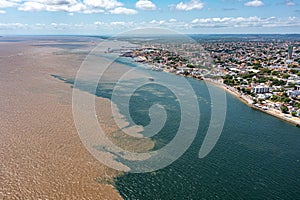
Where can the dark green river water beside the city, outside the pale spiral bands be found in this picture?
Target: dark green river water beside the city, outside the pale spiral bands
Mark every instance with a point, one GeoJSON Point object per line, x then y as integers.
{"type": "Point", "coordinates": [256, 157]}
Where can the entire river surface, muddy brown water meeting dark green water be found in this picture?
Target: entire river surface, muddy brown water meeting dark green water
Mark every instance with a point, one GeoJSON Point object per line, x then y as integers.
{"type": "Point", "coordinates": [255, 157]}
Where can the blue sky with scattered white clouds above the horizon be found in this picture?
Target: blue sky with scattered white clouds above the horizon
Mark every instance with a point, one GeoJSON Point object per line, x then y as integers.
{"type": "Point", "coordinates": [107, 17]}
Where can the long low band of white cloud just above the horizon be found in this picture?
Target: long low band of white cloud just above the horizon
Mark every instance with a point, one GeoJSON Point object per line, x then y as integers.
{"type": "Point", "coordinates": [229, 23]}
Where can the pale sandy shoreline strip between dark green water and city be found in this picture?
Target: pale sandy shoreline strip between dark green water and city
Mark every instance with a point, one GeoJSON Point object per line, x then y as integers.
{"type": "Point", "coordinates": [294, 121]}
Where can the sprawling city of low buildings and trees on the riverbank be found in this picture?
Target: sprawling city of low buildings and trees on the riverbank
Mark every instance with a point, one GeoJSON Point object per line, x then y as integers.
{"type": "Point", "coordinates": [264, 74]}
